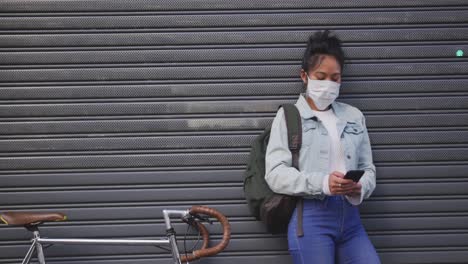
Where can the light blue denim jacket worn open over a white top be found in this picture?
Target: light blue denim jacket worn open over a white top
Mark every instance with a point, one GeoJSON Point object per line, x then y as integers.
{"type": "Point", "coordinates": [314, 154]}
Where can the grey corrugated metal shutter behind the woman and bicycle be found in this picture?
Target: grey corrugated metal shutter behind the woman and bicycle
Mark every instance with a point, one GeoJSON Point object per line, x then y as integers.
{"type": "Point", "coordinates": [112, 110]}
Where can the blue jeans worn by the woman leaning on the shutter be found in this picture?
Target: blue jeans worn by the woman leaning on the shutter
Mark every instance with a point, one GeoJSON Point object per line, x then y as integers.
{"type": "Point", "coordinates": [333, 233]}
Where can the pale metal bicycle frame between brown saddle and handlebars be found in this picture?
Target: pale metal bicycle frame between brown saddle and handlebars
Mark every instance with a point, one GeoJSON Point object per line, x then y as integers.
{"type": "Point", "coordinates": [38, 241]}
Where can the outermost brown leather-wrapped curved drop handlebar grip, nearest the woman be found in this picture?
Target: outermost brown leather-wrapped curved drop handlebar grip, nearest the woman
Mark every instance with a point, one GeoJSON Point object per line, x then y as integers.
{"type": "Point", "coordinates": [226, 231]}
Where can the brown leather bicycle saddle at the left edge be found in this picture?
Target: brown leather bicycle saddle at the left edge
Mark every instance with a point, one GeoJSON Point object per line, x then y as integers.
{"type": "Point", "coordinates": [20, 218]}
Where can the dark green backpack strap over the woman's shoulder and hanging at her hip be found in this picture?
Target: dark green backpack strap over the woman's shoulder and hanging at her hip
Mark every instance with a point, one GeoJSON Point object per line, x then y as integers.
{"type": "Point", "coordinates": [294, 126]}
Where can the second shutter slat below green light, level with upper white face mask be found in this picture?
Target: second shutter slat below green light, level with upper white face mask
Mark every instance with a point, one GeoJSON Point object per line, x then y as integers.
{"type": "Point", "coordinates": [181, 91]}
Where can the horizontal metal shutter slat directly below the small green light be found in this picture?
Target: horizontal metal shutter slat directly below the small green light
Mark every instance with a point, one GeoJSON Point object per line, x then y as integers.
{"type": "Point", "coordinates": [220, 72]}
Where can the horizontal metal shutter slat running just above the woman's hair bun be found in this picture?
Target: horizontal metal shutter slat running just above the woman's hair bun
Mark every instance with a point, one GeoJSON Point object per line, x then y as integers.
{"type": "Point", "coordinates": [233, 20]}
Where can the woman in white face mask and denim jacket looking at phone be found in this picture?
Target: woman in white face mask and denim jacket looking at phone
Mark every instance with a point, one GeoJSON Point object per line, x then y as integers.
{"type": "Point", "coordinates": [335, 140]}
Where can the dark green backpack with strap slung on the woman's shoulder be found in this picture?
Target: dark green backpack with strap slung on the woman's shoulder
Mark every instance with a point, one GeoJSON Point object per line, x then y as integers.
{"type": "Point", "coordinates": [273, 209]}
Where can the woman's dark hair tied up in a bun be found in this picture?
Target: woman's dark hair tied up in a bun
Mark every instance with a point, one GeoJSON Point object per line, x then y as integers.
{"type": "Point", "coordinates": [319, 44]}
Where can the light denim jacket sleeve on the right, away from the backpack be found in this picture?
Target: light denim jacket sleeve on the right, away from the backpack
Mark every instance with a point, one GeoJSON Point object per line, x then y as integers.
{"type": "Point", "coordinates": [368, 180]}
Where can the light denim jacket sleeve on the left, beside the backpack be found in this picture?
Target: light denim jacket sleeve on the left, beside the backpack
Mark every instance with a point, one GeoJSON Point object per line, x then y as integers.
{"type": "Point", "coordinates": [279, 173]}
